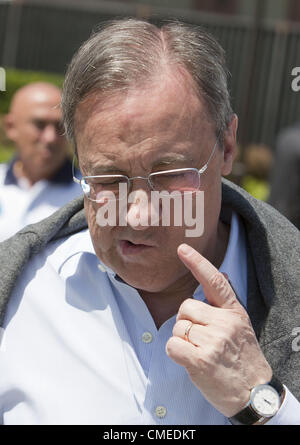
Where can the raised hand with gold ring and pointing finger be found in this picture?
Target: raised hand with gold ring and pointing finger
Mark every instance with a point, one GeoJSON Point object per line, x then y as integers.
{"type": "Point", "coordinates": [222, 356]}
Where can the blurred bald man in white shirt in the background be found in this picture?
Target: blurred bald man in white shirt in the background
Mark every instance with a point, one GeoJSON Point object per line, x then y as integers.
{"type": "Point", "coordinates": [39, 178]}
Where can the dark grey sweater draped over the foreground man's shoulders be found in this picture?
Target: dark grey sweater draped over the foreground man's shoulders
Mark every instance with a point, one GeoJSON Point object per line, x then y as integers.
{"type": "Point", "coordinates": [273, 271]}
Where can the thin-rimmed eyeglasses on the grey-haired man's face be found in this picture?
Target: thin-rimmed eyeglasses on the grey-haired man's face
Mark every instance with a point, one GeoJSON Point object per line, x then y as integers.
{"type": "Point", "coordinates": [115, 187]}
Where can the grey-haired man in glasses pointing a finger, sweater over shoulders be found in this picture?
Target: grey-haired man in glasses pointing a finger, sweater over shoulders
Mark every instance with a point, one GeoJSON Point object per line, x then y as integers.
{"type": "Point", "coordinates": [140, 322]}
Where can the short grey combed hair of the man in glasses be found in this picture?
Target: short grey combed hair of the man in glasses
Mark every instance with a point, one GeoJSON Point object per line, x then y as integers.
{"type": "Point", "coordinates": [127, 53]}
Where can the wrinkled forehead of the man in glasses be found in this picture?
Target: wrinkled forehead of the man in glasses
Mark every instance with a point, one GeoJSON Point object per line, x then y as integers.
{"type": "Point", "coordinates": [165, 104]}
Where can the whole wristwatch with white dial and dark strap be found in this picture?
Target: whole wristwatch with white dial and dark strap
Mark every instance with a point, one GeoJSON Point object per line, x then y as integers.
{"type": "Point", "coordinates": [264, 403]}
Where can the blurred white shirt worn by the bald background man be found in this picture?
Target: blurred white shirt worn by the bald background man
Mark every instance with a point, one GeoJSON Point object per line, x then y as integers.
{"type": "Point", "coordinates": [22, 204]}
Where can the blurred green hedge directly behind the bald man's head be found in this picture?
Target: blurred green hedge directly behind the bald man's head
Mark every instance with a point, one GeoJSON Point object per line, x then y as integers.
{"type": "Point", "coordinates": [15, 79]}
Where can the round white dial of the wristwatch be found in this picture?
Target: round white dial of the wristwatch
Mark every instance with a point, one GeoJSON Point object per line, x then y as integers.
{"type": "Point", "coordinates": [265, 400]}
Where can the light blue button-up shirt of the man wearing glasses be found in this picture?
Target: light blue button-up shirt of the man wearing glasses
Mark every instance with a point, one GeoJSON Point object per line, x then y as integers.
{"type": "Point", "coordinates": [80, 346]}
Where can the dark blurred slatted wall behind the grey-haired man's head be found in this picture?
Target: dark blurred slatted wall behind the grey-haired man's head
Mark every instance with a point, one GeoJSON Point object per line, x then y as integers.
{"type": "Point", "coordinates": [261, 39]}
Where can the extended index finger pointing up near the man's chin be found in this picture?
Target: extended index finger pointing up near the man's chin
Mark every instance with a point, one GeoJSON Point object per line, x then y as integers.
{"type": "Point", "coordinates": [216, 287]}
